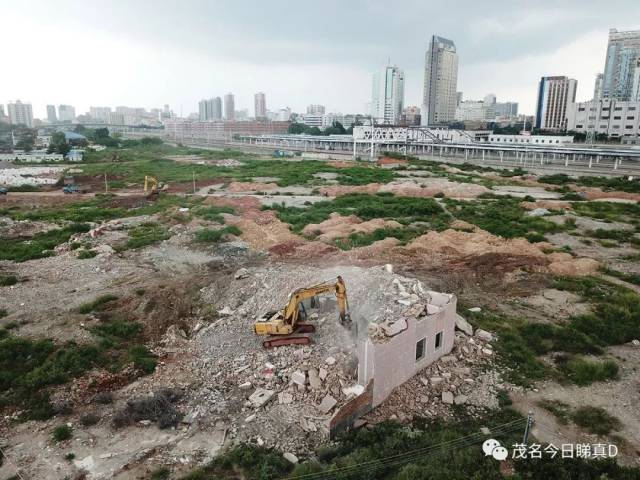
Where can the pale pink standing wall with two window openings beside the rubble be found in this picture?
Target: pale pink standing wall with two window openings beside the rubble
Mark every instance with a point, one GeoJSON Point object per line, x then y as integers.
{"type": "Point", "coordinates": [392, 362]}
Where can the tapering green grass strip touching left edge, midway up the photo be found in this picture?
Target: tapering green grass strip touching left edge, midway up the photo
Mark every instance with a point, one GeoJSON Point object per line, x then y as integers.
{"type": "Point", "coordinates": [39, 245]}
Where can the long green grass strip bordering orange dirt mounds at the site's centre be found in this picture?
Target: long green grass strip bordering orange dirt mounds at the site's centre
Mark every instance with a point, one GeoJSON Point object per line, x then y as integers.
{"type": "Point", "coordinates": [405, 210]}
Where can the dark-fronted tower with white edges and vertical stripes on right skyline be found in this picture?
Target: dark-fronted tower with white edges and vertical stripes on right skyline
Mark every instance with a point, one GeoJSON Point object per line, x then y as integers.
{"type": "Point", "coordinates": [554, 95]}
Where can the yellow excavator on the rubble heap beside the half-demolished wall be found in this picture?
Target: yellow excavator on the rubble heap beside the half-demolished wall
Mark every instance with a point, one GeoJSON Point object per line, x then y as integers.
{"type": "Point", "coordinates": [284, 326]}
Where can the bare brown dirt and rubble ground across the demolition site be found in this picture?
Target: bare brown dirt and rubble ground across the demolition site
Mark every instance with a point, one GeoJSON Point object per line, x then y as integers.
{"type": "Point", "coordinates": [198, 302]}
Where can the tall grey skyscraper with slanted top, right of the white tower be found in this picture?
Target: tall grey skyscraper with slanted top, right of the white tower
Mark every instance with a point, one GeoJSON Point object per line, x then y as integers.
{"type": "Point", "coordinates": [440, 82]}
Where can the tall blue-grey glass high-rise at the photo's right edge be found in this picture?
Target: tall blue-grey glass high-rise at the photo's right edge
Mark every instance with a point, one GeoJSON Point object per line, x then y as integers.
{"type": "Point", "coordinates": [619, 68]}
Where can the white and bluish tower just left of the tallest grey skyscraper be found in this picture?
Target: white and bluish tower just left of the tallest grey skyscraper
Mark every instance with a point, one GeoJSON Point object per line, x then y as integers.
{"type": "Point", "coordinates": [387, 96]}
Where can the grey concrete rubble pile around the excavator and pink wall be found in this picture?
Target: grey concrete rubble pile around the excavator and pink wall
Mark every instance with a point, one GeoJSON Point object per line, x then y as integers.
{"type": "Point", "coordinates": [285, 397]}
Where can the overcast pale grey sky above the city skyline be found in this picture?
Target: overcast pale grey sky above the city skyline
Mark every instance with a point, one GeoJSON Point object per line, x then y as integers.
{"type": "Point", "coordinates": [150, 52]}
